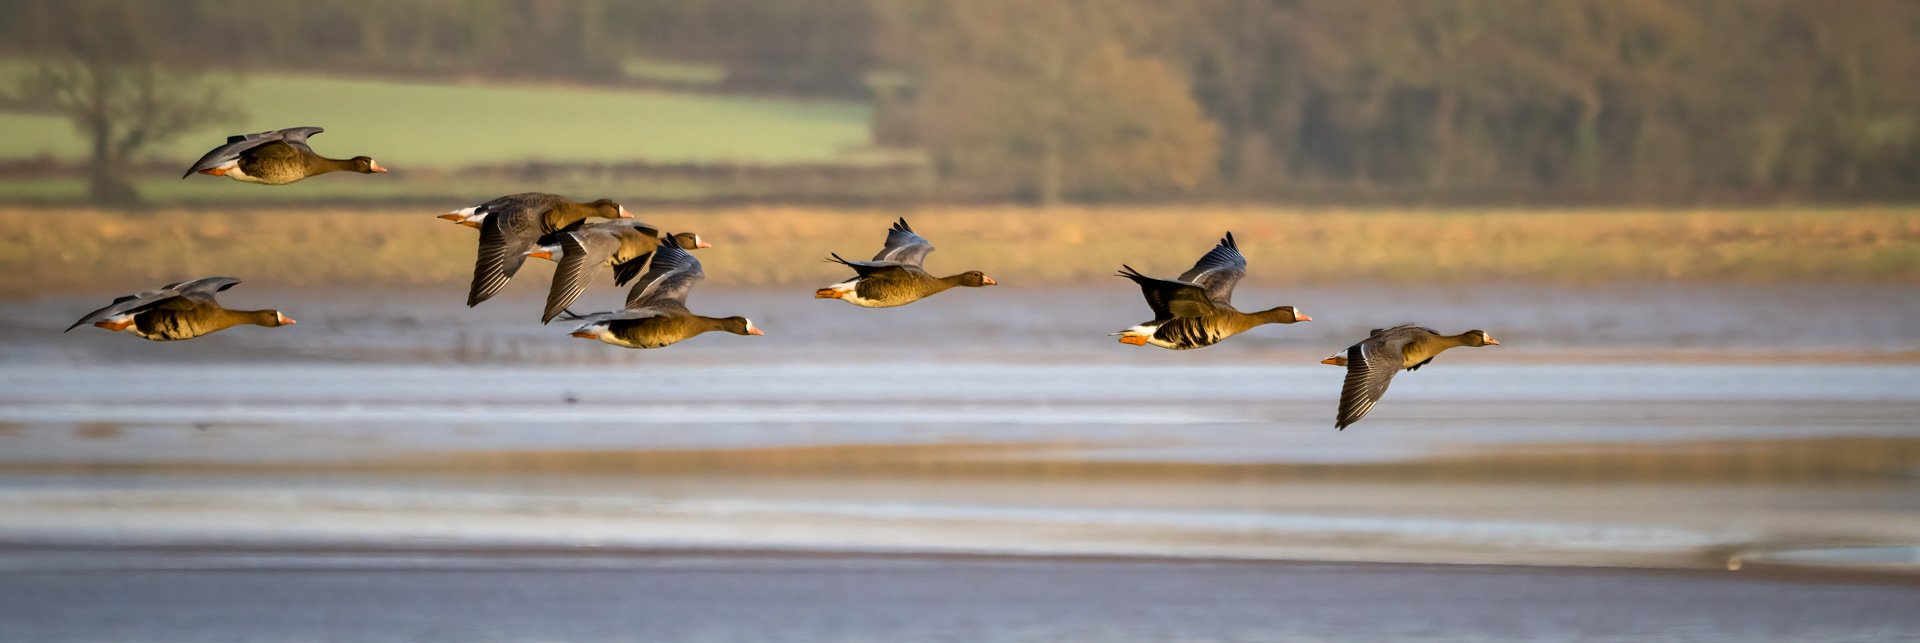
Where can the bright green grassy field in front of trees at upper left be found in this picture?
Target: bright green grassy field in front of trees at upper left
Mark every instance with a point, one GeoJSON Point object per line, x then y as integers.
{"type": "Point", "coordinates": [454, 126]}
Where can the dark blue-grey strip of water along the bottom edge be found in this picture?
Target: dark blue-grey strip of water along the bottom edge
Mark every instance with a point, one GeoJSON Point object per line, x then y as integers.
{"type": "Point", "coordinates": [414, 598]}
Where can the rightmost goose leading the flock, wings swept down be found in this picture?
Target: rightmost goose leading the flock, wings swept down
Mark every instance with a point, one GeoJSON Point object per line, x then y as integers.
{"type": "Point", "coordinates": [1374, 362]}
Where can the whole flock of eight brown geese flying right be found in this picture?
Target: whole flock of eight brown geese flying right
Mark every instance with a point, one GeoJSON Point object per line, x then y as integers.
{"type": "Point", "coordinates": [583, 239]}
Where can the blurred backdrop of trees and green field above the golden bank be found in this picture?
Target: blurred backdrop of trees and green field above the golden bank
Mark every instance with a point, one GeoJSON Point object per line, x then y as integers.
{"type": "Point", "coordinates": [1093, 101]}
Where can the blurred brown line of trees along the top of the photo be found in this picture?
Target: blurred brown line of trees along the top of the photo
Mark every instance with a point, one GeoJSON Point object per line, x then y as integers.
{"type": "Point", "coordinates": [1257, 99]}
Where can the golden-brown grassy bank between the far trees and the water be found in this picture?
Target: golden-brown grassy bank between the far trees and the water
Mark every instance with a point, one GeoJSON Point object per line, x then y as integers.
{"type": "Point", "coordinates": [60, 250]}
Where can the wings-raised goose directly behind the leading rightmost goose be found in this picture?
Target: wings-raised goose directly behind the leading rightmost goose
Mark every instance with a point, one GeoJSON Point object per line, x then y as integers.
{"type": "Point", "coordinates": [1197, 310]}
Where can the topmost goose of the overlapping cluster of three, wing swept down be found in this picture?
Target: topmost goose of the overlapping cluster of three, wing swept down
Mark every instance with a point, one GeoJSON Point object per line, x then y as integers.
{"type": "Point", "coordinates": [512, 226]}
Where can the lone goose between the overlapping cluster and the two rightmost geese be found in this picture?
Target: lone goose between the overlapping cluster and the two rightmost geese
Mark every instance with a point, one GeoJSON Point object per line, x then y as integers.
{"type": "Point", "coordinates": [896, 275]}
